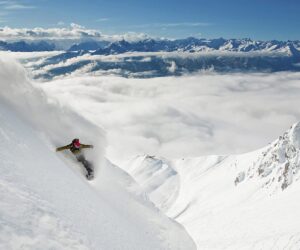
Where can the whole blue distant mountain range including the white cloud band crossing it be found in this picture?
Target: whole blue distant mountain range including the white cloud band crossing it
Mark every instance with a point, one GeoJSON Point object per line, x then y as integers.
{"type": "Point", "coordinates": [157, 57]}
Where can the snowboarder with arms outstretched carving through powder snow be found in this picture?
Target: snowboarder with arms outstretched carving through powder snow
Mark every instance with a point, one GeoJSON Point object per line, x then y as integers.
{"type": "Point", "coordinates": [76, 148]}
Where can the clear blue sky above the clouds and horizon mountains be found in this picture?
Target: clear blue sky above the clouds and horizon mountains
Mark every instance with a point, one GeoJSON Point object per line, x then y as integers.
{"type": "Point", "coordinates": [256, 19]}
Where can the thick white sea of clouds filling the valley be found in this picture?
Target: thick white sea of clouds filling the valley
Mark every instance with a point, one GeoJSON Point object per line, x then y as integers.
{"type": "Point", "coordinates": [184, 116]}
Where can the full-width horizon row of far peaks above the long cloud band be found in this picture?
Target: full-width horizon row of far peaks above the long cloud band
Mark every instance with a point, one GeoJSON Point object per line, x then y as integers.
{"type": "Point", "coordinates": [190, 44]}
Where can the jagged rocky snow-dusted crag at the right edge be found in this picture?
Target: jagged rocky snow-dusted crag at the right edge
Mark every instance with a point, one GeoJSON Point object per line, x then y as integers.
{"type": "Point", "coordinates": [279, 164]}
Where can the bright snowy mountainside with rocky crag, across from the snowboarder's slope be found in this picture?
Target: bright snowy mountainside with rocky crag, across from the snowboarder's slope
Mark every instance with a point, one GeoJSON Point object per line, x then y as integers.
{"type": "Point", "coordinates": [247, 201]}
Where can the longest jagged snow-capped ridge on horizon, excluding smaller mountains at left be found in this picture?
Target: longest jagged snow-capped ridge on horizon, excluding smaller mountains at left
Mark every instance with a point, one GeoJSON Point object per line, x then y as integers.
{"type": "Point", "coordinates": [194, 45]}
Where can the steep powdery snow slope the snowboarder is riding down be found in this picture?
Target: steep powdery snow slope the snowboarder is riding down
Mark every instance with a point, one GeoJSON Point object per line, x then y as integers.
{"type": "Point", "coordinates": [46, 203]}
